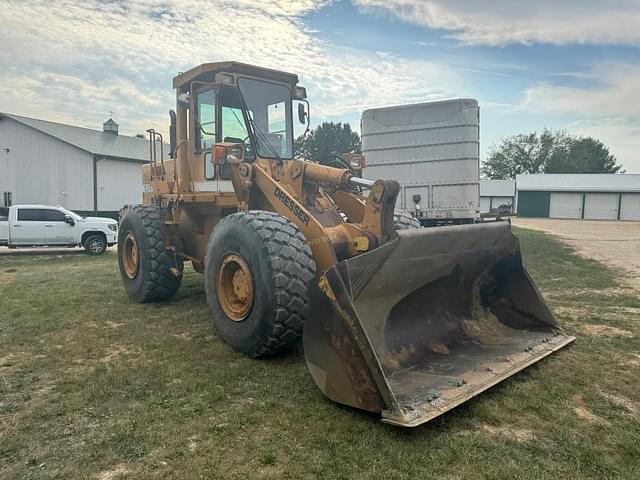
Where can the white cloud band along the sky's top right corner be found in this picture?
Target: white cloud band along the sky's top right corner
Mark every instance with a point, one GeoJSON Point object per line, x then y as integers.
{"type": "Point", "coordinates": [500, 22]}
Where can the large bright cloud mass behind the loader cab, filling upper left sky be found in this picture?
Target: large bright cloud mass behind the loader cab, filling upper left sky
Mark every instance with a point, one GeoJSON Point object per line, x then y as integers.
{"type": "Point", "coordinates": [75, 60]}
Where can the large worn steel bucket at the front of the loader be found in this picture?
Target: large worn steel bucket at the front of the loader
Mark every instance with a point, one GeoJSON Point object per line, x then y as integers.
{"type": "Point", "coordinates": [422, 324]}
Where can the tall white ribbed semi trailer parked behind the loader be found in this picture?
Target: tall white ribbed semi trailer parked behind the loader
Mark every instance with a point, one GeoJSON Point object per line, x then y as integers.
{"type": "Point", "coordinates": [433, 150]}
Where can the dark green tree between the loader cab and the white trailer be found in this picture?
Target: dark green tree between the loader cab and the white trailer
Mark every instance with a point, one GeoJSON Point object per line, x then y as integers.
{"type": "Point", "coordinates": [327, 141]}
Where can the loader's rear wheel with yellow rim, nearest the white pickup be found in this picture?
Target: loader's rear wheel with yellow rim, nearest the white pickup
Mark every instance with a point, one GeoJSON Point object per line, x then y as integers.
{"type": "Point", "coordinates": [149, 272]}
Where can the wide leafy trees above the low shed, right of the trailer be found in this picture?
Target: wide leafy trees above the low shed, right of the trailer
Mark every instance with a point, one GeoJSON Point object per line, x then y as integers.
{"type": "Point", "coordinates": [548, 152]}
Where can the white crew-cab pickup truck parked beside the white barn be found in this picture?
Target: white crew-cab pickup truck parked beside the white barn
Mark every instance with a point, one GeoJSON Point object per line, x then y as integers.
{"type": "Point", "coordinates": [41, 225]}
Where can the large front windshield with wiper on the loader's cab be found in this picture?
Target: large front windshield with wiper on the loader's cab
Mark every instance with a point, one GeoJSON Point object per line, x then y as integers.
{"type": "Point", "coordinates": [269, 111]}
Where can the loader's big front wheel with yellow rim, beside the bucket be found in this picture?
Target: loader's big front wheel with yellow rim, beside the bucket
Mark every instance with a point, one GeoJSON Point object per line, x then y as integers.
{"type": "Point", "coordinates": [257, 268]}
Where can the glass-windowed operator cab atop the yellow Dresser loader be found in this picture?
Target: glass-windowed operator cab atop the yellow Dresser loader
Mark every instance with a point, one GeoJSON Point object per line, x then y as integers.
{"type": "Point", "coordinates": [231, 102]}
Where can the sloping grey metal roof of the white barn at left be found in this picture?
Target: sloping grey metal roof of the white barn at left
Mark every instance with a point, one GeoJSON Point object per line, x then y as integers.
{"type": "Point", "coordinates": [95, 142]}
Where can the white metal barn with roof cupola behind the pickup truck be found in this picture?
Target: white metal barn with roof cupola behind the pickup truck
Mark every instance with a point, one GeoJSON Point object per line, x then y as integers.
{"type": "Point", "coordinates": [88, 171]}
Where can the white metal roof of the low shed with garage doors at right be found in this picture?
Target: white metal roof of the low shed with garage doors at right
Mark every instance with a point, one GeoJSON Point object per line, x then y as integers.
{"type": "Point", "coordinates": [579, 182]}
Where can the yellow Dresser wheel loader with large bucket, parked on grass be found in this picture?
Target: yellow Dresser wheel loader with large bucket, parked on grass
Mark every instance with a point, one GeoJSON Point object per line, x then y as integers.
{"type": "Point", "coordinates": [403, 321]}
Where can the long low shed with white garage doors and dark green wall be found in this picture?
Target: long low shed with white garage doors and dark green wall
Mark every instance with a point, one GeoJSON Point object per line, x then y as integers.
{"type": "Point", "coordinates": [588, 196]}
